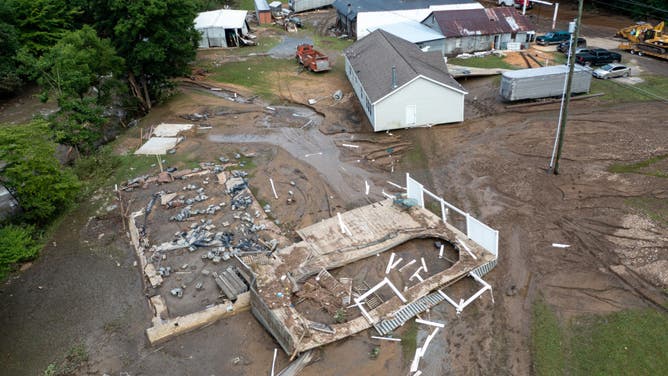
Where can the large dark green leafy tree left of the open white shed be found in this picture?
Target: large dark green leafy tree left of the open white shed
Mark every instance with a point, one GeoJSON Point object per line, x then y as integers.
{"type": "Point", "coordinates": [157, 39]}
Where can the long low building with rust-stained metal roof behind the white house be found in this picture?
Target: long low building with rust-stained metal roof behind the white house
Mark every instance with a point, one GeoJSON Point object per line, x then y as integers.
{"type": "Point", "coordinates": [474, 30]}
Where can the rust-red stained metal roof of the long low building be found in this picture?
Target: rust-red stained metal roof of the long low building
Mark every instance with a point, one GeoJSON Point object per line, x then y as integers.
{"type": "Point", "coordinates": [487, 21]}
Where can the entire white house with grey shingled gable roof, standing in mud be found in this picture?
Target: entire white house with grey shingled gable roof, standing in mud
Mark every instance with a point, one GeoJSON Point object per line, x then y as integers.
{"type": "Point", "coordinates": [400, 86]}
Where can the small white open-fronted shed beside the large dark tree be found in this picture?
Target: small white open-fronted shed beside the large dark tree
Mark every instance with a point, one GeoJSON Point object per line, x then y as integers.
{"type": "Point", "coordinates": [222, 28]}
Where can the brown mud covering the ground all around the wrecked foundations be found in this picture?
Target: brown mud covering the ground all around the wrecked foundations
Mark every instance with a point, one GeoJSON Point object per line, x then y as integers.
{"type": "Point", "coordinates": [85, 287]}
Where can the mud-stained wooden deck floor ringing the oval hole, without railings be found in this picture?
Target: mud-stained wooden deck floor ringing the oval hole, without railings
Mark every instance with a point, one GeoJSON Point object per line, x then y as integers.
{"type": "Point", "coordinates": [371, 229]}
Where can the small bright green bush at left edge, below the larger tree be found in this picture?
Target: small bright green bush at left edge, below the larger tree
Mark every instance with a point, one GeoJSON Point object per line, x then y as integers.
{"type": "Point", "coordinates": [17, 244]}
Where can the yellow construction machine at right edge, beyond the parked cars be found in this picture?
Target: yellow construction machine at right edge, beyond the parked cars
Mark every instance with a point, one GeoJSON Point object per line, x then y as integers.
{"type": "Point", "coordinates": [645, 40]}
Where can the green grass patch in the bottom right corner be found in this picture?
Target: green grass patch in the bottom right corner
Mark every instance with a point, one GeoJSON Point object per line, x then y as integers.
{"type": "Point", "coordinates": [630, 342]}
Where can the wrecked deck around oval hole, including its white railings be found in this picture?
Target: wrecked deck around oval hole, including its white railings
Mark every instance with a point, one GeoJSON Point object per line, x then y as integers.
{"type": "Point", "coordinates": [356, 235]}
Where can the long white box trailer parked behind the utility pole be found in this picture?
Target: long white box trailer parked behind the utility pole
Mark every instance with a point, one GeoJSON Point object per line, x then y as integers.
{"type": "Point", "coordinates": [543, 82]}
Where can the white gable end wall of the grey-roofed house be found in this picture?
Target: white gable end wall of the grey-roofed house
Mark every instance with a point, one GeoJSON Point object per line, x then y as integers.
{"type": "Point", "coordinates": [434, 104]}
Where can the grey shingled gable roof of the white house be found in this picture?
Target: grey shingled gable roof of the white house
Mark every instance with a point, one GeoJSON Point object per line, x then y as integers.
{"type": "Point", "coordinates": [373, 57]}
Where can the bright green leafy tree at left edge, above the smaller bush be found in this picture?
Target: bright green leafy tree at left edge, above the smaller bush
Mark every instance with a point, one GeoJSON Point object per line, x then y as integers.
{"type": "Point", "coordinates": [32, 173]}
